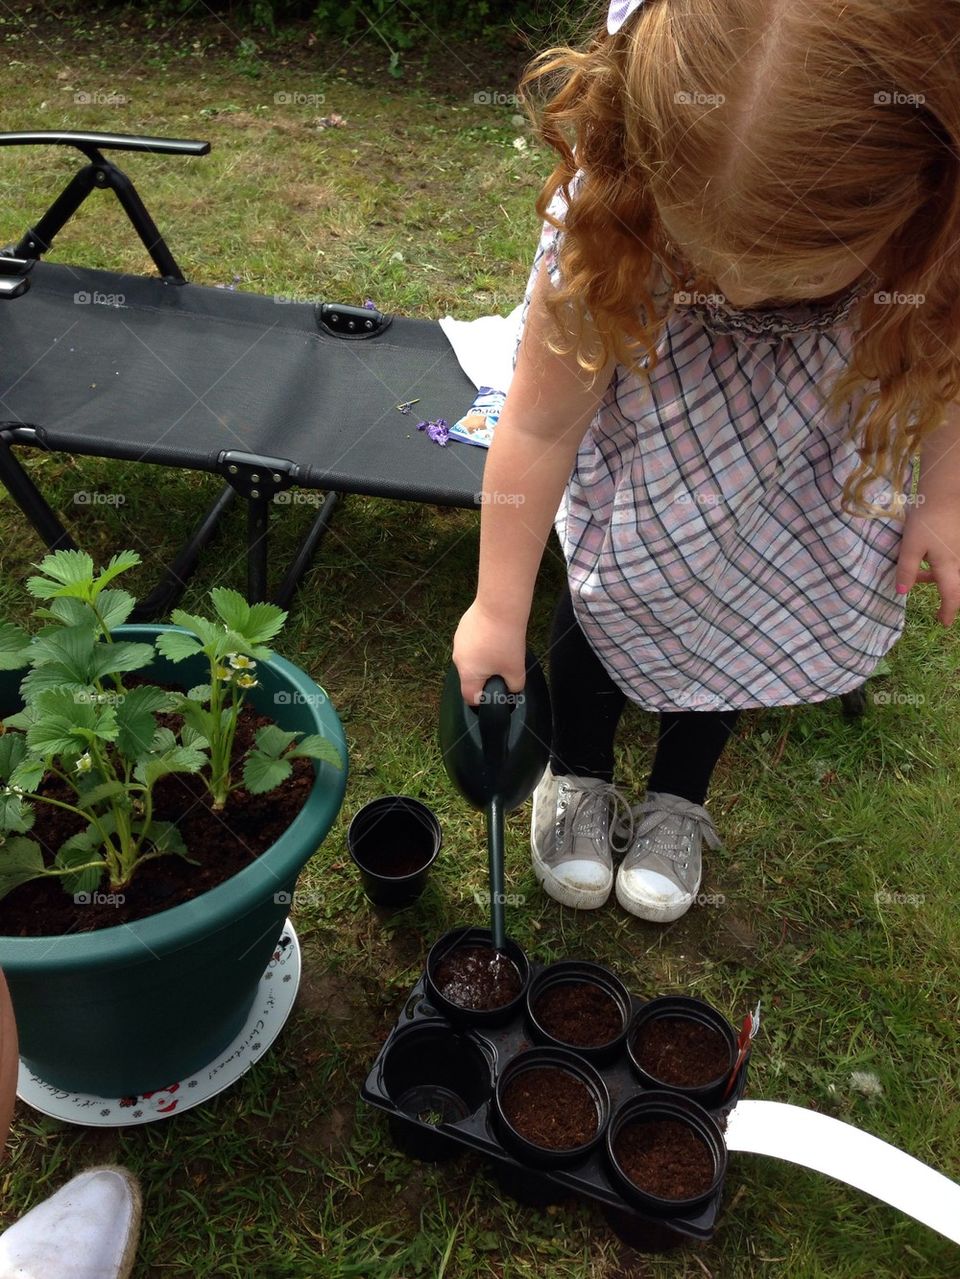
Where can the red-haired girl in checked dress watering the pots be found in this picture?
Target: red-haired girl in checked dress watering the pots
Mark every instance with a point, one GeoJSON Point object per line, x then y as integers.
{"type": "Point", "coordinates": [747, 329]}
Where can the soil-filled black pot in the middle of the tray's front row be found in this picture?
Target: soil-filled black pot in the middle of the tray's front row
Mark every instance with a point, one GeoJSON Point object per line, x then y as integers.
{"type": "Point", "coordinates": [552, 1107]}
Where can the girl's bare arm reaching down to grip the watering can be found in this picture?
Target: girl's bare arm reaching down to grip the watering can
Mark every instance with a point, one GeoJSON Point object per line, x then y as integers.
{"type": "Point", "coordinates": [549, 407]}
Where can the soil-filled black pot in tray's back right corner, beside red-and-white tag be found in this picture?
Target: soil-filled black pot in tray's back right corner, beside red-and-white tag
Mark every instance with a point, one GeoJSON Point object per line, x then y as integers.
{"type": "Point", "coordinates": [683, 1046]}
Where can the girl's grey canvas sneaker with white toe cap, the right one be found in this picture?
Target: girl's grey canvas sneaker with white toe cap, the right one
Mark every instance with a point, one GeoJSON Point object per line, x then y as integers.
{"type": "Point", "coordinates": [662, 874]}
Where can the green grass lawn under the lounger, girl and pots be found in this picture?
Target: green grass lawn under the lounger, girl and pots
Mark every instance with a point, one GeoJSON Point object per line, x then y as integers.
{"type": "Point", "coordinates": [424, 204]}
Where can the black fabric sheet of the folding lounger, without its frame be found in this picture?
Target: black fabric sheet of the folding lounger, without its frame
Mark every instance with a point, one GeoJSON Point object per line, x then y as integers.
{"type": "Point", "coordinates": [177, 374]}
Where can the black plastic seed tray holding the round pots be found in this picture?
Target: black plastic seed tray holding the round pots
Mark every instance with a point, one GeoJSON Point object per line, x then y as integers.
{"type": "Point", "coordinates": [476, 1131]}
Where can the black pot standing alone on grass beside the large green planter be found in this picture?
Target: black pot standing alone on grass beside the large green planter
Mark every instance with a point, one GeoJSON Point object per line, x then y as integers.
{"type": "Point", "coordinates": [393, 844]}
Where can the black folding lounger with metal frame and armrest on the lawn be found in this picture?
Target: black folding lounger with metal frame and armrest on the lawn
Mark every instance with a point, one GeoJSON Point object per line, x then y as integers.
{"type": "Point", "coordinates": [263, 392]}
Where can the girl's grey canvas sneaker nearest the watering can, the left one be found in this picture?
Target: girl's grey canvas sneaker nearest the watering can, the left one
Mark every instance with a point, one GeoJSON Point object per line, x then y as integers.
{"type": "Point", "coordinates": [571, 837]}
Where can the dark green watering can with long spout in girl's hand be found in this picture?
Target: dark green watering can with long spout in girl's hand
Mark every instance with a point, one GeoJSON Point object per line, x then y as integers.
{"type": "Point", "coordinates": [495, 755]}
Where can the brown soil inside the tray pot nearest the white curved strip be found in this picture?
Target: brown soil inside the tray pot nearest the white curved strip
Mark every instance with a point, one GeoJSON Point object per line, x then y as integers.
{"type": "Point", "coordinates": [665, 1158]}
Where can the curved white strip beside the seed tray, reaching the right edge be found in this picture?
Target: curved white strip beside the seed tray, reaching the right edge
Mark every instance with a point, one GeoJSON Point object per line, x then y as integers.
{"type": "Point", "coordinates": [849, 1154]}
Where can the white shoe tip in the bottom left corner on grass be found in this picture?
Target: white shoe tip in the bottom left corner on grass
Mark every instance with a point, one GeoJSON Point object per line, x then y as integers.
{"type": "Point", "coordinates": [89, 1230]}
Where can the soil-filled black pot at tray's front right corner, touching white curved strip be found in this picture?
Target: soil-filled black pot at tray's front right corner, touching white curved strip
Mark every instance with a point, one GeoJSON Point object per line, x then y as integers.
{"type": "Point", "coordinates": [667, 1153]}
